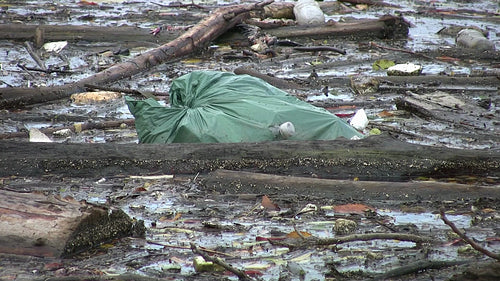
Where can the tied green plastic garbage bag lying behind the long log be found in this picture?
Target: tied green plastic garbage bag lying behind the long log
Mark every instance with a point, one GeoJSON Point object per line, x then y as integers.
{"type": "Point", "coordinates": [212, 106]}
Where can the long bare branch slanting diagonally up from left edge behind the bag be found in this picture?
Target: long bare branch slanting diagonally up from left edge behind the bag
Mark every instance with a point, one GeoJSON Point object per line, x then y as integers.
{"type": "Point", "coordinates": [193, 40]}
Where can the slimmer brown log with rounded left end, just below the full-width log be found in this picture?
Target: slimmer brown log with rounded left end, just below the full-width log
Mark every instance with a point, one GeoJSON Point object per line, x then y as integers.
{"type": "Point", "coordinates": [234, 182]}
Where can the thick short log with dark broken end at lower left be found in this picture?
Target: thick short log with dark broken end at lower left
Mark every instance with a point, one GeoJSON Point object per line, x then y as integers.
{"type": "Point", "coordinates": [50, 226]}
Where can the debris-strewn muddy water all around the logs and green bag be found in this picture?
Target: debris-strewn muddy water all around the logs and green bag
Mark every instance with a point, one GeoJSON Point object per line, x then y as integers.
{"type": "Point", "coordinates": [231, 224]}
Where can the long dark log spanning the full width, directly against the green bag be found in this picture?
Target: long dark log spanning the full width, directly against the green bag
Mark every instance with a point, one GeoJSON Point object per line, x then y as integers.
{"type": "Point", "coordinates": [378, 158]}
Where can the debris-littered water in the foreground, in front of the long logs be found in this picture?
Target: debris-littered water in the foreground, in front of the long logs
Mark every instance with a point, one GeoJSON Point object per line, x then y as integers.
{"type": "Point", "coordinates": [178, 212]}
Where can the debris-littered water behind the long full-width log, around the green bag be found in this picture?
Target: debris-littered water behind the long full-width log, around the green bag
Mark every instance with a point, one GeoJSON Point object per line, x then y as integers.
{"type": "Point", "coordinates": [429, 32]}
